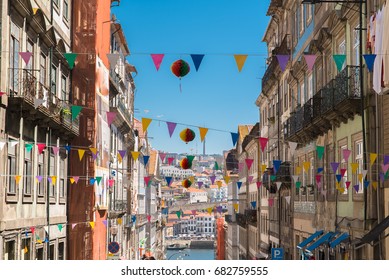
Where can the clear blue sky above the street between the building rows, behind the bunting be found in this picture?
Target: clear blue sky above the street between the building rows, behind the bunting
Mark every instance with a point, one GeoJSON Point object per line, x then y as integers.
{"type": "Point", "coordinates": [217, 96]}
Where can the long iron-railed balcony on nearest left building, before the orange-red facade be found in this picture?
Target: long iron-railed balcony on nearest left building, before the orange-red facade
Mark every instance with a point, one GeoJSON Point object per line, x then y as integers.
{"type": "Point", "coordinates": [24, 88]}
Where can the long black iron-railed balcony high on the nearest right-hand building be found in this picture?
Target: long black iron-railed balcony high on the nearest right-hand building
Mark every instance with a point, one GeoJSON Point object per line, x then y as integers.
{"type": "Point", "coordinates": [337, 102]}
